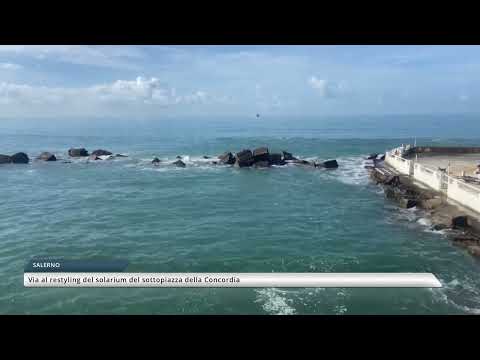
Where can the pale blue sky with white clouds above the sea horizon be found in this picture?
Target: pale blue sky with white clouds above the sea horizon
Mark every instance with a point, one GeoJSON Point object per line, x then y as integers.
{"type": "Point", "coordinates": [49, 81]}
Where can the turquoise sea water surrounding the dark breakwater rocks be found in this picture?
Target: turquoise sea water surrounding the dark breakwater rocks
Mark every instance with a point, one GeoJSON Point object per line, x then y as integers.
{"type": "Point", "coordinates": [208, 218]}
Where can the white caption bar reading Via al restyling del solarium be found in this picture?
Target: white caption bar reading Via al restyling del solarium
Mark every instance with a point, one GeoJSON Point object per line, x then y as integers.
{"type": "Point", "coordinates": [254, 280]}
